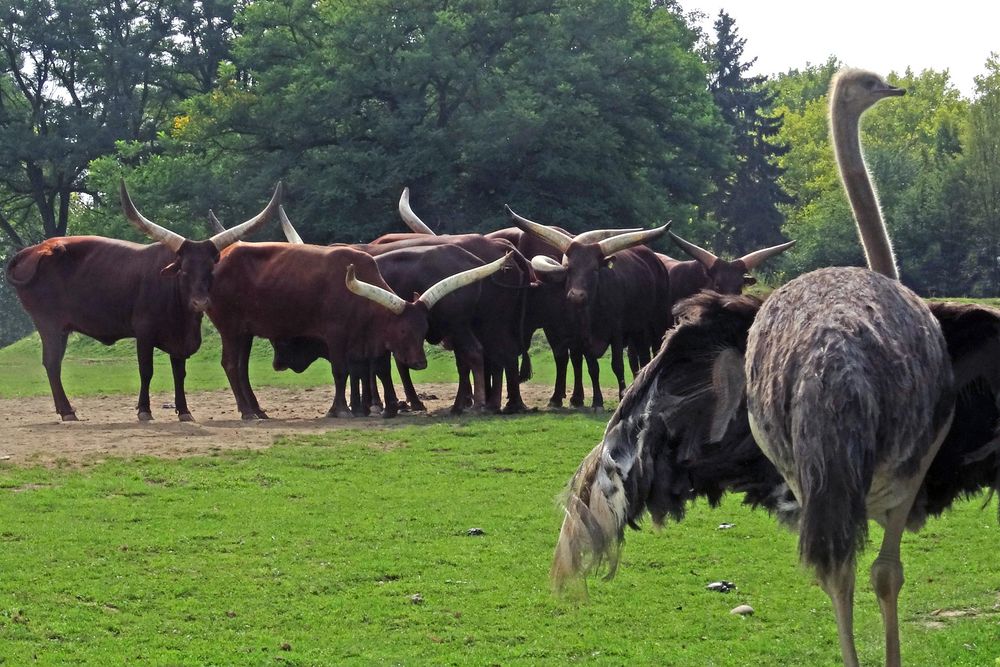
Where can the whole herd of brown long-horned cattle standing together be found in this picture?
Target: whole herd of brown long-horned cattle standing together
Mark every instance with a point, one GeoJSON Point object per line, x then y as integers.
{"type": "Point", "coordinates": [482, 296]}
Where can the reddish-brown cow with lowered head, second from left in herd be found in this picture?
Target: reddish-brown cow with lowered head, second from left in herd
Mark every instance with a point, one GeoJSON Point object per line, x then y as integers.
{"type": "Point", "coordinates": [332, 294]}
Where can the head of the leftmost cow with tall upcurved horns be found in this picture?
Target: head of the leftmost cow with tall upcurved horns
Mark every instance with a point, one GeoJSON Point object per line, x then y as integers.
{"type": "Point", "coordinates": [195, 260]}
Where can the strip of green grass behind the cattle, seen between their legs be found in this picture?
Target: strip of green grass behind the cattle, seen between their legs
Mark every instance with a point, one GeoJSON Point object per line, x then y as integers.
{"type": "Point", "coordinates": [90, 368]}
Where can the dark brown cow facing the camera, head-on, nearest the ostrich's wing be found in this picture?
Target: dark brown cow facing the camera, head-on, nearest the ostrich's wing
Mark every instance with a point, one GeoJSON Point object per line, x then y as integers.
{"type": "Point", "coordinates": [616, 289]}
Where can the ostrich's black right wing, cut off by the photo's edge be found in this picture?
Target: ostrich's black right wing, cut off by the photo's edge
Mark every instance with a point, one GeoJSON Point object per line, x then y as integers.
{"type": "Point", "coordinates": [969, 458]}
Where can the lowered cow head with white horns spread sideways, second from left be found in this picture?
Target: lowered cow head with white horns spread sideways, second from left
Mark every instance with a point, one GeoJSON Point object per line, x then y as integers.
{"type": "Point", "coordinates": [406, 330]}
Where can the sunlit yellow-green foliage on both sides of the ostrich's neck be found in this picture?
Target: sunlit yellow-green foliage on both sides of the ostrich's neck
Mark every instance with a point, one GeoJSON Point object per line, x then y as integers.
{"type": "Point", "coordinates": [919, 157]}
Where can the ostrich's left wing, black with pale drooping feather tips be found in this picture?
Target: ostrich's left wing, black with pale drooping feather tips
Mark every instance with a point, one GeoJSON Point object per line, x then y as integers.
{"type": "Point", "coordinates": [681, 431]}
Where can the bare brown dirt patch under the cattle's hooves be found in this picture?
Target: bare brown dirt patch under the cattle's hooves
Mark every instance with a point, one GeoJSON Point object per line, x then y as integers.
{"type": "Point", "coordinates": [31, 432]}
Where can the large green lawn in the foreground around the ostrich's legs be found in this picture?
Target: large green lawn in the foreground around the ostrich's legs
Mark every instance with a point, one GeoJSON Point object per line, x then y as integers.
{"type": "Point", "coordinates": [320, 543]}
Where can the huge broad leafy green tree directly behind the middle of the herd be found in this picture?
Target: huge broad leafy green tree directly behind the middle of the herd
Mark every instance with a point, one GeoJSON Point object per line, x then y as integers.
{"type": "Point", "coordinates": [580, 114]}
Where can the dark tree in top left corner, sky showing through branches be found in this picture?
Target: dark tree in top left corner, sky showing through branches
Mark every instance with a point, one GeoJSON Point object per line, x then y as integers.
{"type": "Point", "coordinates": [76, 76]}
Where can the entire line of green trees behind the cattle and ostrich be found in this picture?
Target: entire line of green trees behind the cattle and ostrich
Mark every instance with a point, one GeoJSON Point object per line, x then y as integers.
{"type": "Point", "coordinates": [593, 113]}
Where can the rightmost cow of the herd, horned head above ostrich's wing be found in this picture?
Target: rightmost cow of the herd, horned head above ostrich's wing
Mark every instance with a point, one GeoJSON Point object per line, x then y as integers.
{"type": "Point", "coordinates": [706, 271]}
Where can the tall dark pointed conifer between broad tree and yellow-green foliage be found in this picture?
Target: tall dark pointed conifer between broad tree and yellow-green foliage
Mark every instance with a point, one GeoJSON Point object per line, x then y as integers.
{"type": "Point", "coordinates": [746, 201]}
